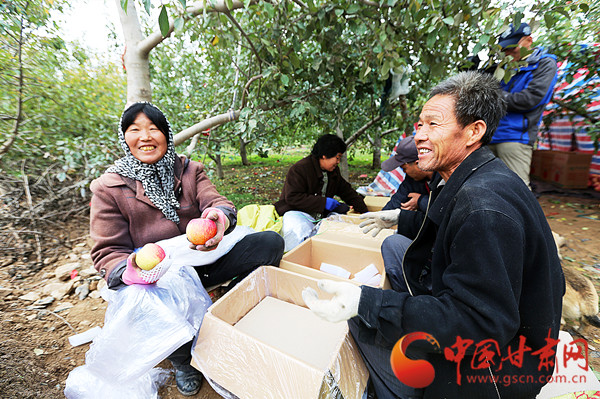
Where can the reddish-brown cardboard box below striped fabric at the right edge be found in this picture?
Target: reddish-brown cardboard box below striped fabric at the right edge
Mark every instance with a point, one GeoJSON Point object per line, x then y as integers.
{"type": "Point", "coordinates": [569, 169]}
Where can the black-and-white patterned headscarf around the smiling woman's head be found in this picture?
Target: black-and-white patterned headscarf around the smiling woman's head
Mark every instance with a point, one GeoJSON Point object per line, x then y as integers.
{"type": "Point", "coordinates": [158, 179]}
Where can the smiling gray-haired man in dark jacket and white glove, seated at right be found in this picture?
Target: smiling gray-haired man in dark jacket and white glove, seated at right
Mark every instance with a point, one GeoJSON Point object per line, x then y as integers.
{"type": "Point", "coordinates": [484, 282]}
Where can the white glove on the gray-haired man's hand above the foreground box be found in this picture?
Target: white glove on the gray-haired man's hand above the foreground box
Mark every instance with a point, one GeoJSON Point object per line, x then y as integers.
{"type": "Point", "coordinates": [343, 306]}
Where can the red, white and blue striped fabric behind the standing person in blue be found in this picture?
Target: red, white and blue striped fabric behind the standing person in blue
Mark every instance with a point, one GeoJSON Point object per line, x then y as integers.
{"type": "Point", "coordinates": [568, 132]}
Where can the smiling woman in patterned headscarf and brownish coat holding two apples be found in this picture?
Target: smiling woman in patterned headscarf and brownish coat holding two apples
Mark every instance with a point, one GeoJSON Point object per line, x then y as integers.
{"type": "Point", "coordinates": [151, 194]}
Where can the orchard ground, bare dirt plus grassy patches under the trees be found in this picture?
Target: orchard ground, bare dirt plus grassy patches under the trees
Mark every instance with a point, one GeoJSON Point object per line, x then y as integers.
{"type": "Point", "coordinates": [36, 357]}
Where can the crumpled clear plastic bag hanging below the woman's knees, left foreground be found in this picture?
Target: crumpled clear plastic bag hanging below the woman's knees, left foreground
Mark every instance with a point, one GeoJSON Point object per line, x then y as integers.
{"type": "Point", "coordinates": [142, 326]}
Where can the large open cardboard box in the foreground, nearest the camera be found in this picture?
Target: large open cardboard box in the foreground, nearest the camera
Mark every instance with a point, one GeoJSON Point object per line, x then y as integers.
{"type": "Point", "coordinates": [260, 341]}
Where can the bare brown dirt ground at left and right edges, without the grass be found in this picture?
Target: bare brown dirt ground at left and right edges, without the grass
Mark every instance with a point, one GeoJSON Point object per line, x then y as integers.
{"type": "Point", "coordinates": [36, 357]}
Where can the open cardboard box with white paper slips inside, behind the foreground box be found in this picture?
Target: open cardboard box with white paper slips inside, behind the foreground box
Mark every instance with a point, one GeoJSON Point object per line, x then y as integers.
{"type": "Point", "coordinates": [307, 257]}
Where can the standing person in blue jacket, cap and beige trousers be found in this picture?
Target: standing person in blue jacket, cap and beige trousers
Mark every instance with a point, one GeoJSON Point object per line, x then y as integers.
{"type": "Point", "coordinates": [526, 95]}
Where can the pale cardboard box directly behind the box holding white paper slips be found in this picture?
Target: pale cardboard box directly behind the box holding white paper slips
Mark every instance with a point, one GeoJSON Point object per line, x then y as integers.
{"type": "Point", "coordinates": [344, 229]}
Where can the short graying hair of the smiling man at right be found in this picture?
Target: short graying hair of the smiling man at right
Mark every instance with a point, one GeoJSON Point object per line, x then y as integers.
{"type": "Point", "coordinates": [477, 96]}
